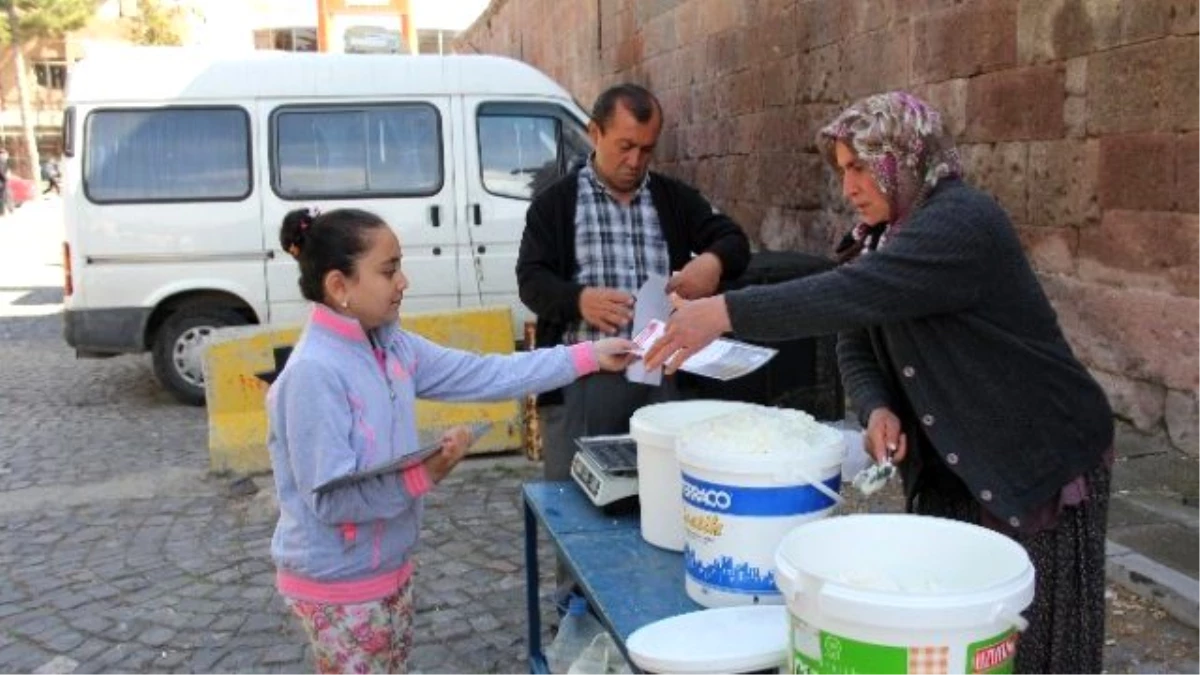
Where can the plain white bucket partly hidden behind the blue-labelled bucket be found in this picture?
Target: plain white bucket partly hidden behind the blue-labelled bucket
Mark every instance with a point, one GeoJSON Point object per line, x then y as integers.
{"type": "Point", "coordinates": [655, 428]}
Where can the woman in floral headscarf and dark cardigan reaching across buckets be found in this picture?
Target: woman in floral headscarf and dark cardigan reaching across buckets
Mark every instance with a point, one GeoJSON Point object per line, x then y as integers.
{"type": "Point", "coordinates": [956, 360]}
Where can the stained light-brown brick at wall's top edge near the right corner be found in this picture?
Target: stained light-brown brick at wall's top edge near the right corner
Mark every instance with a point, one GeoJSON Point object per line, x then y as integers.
{"type": "Point", "coordinates": [1060, 29]}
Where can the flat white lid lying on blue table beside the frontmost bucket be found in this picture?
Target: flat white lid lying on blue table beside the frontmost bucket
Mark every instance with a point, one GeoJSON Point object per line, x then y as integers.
{"type": "Point", "coordinates": [734, 640]}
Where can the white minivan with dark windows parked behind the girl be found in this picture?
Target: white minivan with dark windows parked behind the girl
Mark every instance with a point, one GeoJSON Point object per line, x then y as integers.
{"type": "Point", "coordinates": [181, 168]}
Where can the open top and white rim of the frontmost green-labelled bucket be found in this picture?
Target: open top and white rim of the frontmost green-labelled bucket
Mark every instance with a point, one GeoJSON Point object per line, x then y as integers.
{"type": "Point", "coordinates": [937, 574]}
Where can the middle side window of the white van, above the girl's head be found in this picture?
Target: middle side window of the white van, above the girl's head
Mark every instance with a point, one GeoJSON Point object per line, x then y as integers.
{"type": "Point", "coordinates": [346, 153]}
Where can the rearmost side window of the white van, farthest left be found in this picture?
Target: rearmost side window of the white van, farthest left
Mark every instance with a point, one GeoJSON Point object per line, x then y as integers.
{"type": "Point", "coordinates": [167, 156]}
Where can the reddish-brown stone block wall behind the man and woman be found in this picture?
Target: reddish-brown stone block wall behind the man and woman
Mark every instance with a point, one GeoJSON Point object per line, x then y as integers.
{"type": "Point", "coordinates": [1082, 117]}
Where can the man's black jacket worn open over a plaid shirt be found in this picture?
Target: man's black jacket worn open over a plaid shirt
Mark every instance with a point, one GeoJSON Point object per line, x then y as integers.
{"type": "Point", "coordinates": [547, 265]}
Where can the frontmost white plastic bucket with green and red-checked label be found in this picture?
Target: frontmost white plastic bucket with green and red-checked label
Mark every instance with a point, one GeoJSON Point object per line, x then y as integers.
{"type": "Point", "coordinates": [903, 594]}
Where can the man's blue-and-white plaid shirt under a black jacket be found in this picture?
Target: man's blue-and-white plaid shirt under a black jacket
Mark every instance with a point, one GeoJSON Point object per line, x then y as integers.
{"type": "Point", "coordinates": [616, 246]}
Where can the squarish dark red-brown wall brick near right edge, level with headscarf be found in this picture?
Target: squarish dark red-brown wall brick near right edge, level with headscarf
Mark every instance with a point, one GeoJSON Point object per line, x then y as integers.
{"type": "Point", "coordinates": [1138, 172]}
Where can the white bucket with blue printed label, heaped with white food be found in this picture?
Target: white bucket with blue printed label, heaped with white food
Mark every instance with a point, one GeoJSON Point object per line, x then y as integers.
{"type": "Point", "coordinates": [739, 505]}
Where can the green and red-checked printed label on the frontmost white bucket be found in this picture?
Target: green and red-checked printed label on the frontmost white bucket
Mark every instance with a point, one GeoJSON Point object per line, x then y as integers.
{"type": "Point", "coordinates": [819, 653]}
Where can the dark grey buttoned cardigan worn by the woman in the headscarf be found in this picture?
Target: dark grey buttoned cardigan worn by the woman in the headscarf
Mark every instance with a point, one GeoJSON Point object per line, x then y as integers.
{"type": "Point", "coordinates": [977, 359]}
